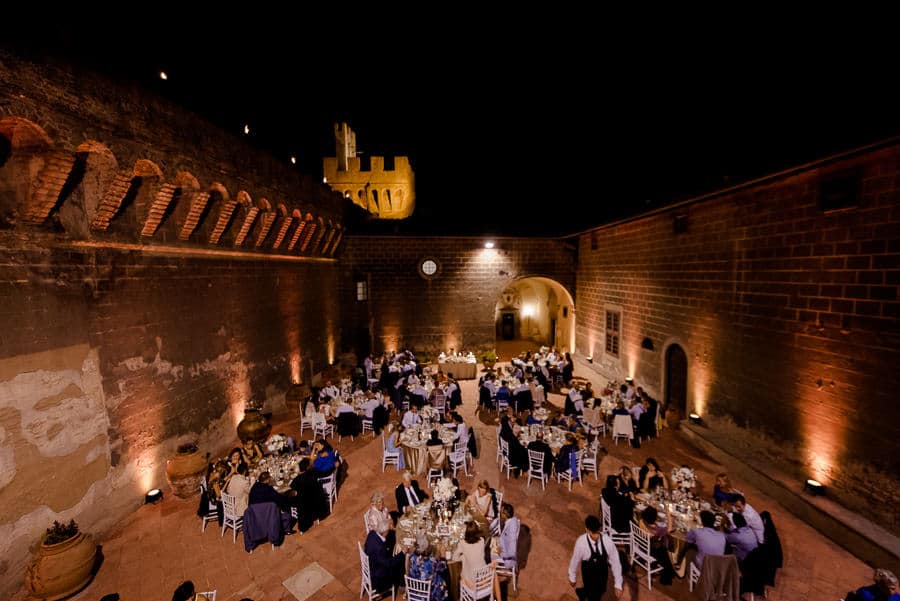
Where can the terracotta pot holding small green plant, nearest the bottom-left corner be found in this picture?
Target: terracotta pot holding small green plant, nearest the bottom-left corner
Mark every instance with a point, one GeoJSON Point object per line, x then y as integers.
{"type": "Point", "coordinates": [62, 569]}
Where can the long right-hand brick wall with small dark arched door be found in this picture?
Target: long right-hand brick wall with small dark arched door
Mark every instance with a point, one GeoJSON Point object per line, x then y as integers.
{"type": "Point", "coordinates": [788, 316]}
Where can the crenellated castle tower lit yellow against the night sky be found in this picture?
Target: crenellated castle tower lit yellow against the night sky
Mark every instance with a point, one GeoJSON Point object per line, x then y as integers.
{"type": "Point", "coordinates": [385, 188]}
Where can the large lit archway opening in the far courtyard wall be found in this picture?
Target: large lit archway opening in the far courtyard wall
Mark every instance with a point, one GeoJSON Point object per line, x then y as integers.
{"type": "Point", "coordinates": [535, 311]}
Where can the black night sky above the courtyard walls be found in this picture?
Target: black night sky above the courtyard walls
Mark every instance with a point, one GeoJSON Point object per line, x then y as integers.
{"type": "Point", "coordinates": [510, 131]}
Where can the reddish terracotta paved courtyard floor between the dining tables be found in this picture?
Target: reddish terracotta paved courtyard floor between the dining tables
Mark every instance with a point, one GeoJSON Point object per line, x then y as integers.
{"type": "Point", "coordinates": [162, 545]}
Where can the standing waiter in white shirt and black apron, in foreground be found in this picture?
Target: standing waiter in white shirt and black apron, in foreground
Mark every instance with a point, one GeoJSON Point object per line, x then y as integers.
{"type": "Point", "coordinates": [594, 551]}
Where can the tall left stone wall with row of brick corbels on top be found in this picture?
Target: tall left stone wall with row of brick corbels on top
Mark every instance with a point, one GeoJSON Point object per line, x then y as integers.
{"type": "Point", "coordinates": [155, 274]}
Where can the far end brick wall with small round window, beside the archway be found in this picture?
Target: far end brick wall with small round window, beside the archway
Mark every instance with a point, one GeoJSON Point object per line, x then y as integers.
{"type": "Point", "coordinates": [453, 308]}
